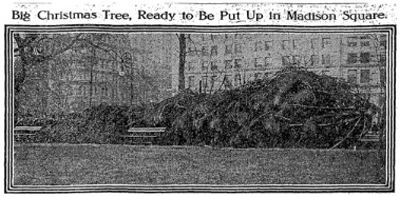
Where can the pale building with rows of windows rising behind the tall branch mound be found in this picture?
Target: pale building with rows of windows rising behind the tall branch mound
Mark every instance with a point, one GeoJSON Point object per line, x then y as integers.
{"type": "Point", "coordinates": [223, 61]}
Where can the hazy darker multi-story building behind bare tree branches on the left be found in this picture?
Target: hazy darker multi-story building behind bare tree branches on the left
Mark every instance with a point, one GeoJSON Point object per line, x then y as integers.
{"type": "Point", "coordinates": [121, 69]}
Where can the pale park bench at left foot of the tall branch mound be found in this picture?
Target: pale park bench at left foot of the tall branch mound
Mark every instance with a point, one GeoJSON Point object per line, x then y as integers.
{"type": "Point", "coordinates": [143, 135]}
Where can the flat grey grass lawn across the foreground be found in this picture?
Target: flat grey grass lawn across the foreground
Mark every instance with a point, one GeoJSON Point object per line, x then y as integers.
{"type": "Point", "coordinates": [60, 164]}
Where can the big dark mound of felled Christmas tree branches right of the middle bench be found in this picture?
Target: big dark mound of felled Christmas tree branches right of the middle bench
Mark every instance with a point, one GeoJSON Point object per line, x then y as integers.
{"type": "Point", "coordinates": [296, 108]}
